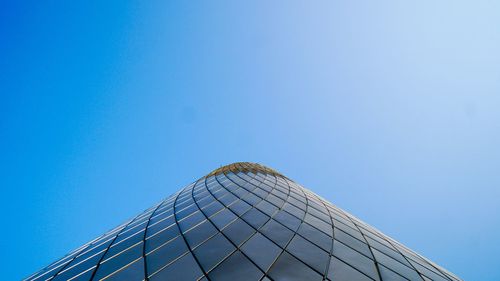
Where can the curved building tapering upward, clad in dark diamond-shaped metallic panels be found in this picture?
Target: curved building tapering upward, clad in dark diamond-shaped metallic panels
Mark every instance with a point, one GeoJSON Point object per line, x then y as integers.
{"type": "Point", "coordinates": [244, 221]}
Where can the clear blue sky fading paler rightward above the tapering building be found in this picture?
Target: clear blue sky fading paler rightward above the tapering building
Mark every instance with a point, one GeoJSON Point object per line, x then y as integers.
{"type": "Point", "coordinates": [389, 109]}
